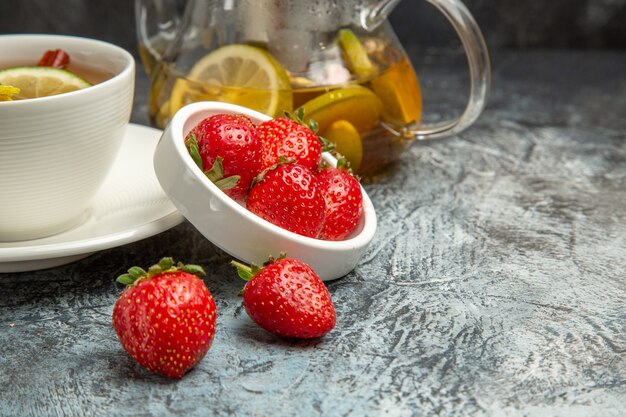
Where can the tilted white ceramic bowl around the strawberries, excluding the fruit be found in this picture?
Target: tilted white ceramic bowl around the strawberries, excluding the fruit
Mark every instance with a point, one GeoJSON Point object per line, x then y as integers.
{"type": "Point", "coordinates": [231, 226]}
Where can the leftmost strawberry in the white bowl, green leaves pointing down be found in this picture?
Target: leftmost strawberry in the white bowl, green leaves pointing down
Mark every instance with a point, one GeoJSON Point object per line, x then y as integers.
{"type": "Point", "coordinates": [228, 148]}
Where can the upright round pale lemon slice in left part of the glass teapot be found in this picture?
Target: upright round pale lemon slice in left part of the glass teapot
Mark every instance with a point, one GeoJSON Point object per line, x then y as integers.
{"type": "Point", "coordinates": [238, 74]}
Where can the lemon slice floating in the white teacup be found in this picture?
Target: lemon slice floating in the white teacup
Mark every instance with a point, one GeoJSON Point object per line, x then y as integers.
{"type": "Point", "coordinates": [36, 82]}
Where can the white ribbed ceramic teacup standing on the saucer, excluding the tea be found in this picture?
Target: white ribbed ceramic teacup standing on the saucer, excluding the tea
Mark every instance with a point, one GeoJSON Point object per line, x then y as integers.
{"type": "Point", "coordinates": [55, 151]}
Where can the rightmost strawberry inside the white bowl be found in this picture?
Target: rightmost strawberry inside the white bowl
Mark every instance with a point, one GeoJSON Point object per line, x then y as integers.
{"type": "Point", "coordinates": [343, 203]}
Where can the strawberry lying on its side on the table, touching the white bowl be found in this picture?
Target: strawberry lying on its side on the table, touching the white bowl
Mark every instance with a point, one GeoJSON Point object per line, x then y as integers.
{"type": "Point", "coordinates": [288, 298]}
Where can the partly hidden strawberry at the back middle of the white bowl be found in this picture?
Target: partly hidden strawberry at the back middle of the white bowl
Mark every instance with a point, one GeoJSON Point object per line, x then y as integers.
{"type": "Point", "coordinates": [285, 137]}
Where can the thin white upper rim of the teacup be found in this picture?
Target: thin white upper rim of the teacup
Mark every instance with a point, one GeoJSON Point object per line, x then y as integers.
{"type": "Point", "coordinates": [128, 69]}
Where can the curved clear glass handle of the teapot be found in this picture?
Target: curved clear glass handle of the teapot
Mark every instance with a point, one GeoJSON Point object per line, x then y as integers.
{"type": "Point", "coordinates": [479, 70]}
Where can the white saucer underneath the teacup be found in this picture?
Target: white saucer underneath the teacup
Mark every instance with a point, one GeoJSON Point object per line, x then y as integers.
{"type": "Point", "coordinates": [130, 206]}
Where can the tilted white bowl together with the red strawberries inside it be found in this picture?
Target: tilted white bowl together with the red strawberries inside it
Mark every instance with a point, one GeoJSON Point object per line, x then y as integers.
{"type": "Point", "coordinates": [256, 187]}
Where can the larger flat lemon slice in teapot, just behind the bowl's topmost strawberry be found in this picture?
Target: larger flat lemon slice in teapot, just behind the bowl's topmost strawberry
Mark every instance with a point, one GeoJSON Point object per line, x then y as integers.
{"type": "Point", "coordinates": [355, 104]}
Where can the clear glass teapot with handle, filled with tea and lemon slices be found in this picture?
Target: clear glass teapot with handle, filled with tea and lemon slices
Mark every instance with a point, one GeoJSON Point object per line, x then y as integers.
{"type": "Point", "coordinates": [338, 60]}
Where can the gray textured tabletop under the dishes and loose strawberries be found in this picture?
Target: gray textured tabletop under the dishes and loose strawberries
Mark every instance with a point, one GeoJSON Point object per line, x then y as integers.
{"type": "Point", "coordinates": [496, 284]}
